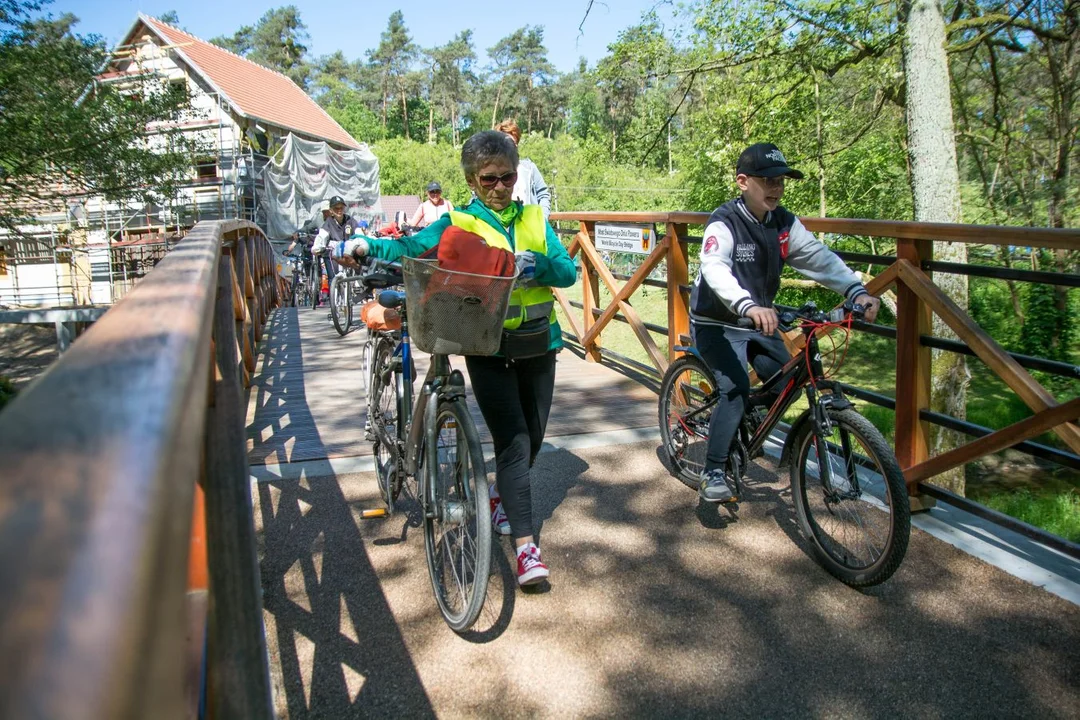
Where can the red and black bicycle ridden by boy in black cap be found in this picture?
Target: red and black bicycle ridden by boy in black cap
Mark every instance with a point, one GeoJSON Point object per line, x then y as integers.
{"type": "Point", "coordinates": [854, 507]}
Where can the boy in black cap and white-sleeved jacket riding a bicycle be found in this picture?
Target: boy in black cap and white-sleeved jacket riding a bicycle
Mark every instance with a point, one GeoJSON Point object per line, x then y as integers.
{"type": "Point", "coordinates": [746, 246]}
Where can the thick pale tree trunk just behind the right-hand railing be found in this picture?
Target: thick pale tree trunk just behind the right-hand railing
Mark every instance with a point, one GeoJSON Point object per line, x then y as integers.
{"type": "Point", "coordinates": [936, 189]}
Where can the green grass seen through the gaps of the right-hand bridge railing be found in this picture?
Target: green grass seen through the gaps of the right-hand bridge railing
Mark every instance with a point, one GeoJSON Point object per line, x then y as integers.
{"type": "Point", "coordinates": [1048, 498]}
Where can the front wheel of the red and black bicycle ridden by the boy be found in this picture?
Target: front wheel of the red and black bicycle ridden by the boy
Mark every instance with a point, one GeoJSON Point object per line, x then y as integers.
{"type": "Point", "coordinates": [854, 507]}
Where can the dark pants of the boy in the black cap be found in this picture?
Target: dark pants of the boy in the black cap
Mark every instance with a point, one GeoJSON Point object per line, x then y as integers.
{"type": "Point", "coordinates": [727, 350]}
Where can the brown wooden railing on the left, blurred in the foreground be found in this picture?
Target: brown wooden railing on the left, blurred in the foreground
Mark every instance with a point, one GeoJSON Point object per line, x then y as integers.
{"type": "Point", "coordinates": [125, 500]}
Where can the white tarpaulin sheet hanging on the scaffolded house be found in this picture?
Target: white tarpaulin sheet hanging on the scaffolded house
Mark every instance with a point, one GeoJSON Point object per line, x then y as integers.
{"type": "Point", "coordinates": [305, 174]}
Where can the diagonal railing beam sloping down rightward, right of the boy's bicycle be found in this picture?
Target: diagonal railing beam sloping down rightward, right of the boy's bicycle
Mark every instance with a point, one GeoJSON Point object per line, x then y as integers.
{"type": "Point", "coordinates": [987, 349]}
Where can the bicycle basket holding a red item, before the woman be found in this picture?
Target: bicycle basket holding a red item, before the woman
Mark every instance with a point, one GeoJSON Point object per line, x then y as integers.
{"type": "Point", "coordinates": [455, 314]}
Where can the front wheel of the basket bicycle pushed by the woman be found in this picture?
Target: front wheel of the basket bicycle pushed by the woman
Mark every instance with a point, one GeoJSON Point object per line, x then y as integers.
{"type": "Point", "coordinates": [457, 529]}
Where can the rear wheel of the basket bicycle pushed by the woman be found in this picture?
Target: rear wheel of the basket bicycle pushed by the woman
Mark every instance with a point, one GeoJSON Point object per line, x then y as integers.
{"type": "Point", "coordinates": [383, 404]}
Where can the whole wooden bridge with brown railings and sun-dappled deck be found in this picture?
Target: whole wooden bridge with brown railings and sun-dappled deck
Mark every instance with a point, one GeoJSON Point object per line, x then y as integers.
{"type": "Point", "coordinates": [269, 597]}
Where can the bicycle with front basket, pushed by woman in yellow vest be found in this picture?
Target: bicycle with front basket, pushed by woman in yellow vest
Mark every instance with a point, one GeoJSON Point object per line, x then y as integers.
{"type": "Point", "coordinates": [433, 439]}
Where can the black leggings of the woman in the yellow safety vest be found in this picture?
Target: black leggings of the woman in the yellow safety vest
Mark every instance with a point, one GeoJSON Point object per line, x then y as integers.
{"type": "Point", "coordinates": [516, 401]}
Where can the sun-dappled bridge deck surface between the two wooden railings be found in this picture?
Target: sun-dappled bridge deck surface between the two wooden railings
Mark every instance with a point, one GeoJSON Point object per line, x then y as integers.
{"type": "Point", "coordinates": [658, 606]}
